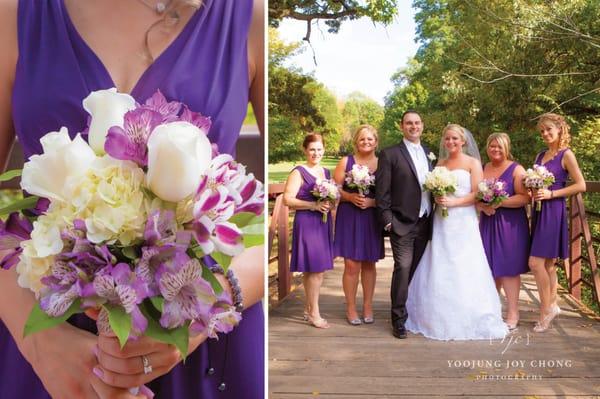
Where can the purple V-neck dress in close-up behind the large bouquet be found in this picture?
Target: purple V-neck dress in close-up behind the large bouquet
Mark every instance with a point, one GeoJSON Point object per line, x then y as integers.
{"type": "Point", "coordinates": [206, 68]}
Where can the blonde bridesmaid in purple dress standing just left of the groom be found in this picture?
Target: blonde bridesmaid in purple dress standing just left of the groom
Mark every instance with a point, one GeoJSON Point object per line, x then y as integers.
{"type": "Point", "coordinates": [358, 237]}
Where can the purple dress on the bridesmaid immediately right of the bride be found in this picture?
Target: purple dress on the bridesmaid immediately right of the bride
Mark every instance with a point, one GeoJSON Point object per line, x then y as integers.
{"type": "Point", "coordinates": [505, 235]}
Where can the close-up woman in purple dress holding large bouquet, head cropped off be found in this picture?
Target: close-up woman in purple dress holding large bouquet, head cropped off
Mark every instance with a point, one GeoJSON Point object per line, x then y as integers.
{"type": "Point", "coordinates": [207, 54]}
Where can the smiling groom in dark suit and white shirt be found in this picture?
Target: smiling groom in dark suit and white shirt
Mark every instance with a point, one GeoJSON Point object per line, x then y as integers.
{"type": "Point", "coordinates": [404, 209]}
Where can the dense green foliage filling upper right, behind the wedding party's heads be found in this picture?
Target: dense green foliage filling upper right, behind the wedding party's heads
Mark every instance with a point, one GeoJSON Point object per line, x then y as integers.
{"type": "Point", "coordinates": [496, 66]}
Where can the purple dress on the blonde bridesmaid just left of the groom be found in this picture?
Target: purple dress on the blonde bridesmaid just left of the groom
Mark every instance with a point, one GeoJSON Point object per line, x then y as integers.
{"type": "Point", "coordinates": [358, 235]}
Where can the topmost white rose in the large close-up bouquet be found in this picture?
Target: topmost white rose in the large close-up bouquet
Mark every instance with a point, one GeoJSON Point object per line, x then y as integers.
{"type": "Point", "coordinates": [107, 109]}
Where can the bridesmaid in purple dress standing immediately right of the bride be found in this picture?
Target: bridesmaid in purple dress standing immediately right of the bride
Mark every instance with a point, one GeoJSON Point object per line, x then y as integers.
{"type": "Point", "coordinates": [504, 228]}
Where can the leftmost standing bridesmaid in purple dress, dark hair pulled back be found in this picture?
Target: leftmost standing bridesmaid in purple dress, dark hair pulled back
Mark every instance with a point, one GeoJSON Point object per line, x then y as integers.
{"type": "Point", "coordinates": [311, 238]}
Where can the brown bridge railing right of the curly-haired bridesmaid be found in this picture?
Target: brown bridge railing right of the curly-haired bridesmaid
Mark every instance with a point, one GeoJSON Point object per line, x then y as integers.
{"type": "Point", "coordinates": [581, 246]}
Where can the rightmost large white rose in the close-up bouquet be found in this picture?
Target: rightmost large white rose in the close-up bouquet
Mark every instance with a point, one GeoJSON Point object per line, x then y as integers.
{"type": "Point", "coordinates": [178, 154]}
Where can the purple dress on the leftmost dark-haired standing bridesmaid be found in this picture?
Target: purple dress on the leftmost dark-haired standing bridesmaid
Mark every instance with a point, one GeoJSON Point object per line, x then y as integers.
{"type": "Point", "coordinates": [311, 238]}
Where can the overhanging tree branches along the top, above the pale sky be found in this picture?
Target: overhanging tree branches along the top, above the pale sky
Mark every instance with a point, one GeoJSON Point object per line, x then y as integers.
{"type": "Point", "coordinates": [333, 12]}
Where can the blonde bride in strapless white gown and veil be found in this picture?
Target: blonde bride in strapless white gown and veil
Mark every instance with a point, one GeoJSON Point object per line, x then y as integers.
{"type": "Point", "coordinates": [452, 294]}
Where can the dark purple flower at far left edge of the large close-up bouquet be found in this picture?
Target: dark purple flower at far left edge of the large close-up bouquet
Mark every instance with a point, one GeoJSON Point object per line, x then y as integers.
{"type": "Point", "coordinates": [17, 228]}
